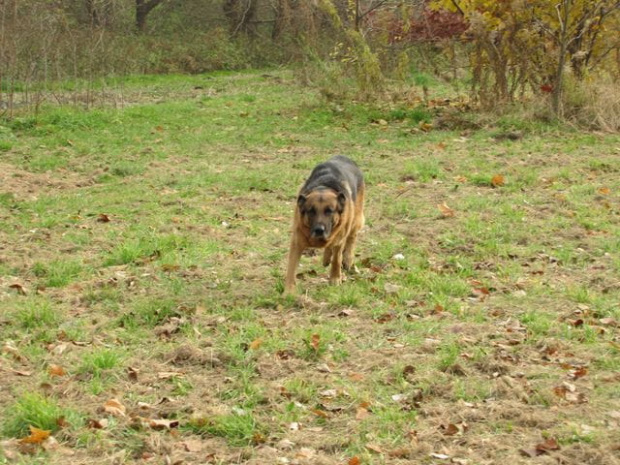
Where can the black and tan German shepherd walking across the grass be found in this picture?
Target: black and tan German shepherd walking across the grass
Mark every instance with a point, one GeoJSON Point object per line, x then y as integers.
{"type": "Point", "coordinates": [328, 215]}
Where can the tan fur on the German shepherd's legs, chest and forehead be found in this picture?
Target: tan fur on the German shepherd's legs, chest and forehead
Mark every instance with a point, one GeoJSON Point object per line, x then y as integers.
{"type": "Point", "coordinates": [339, 245]}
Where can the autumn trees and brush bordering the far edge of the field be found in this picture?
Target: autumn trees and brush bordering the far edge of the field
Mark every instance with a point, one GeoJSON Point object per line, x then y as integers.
{"type": "Point", "coordinates": [504, 49]}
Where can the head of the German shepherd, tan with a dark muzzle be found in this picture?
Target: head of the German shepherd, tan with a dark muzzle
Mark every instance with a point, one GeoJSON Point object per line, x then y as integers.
{"type": "Point", "coordinates": [320, 212]}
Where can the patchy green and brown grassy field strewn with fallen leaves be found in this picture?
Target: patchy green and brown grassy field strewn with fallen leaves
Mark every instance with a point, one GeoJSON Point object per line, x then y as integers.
{"type": "Point", "coordinates": [142, 254]}
